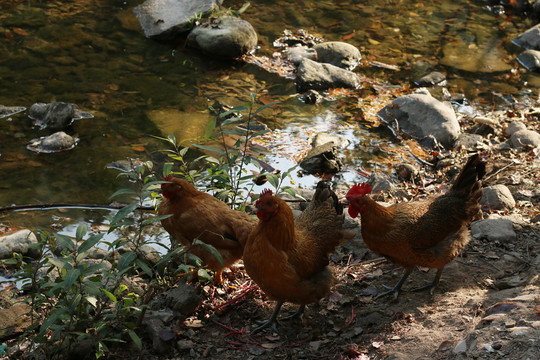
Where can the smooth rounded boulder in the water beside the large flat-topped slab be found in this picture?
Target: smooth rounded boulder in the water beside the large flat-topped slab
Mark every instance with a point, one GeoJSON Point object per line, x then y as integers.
{"type": "Point", "coordinates": [226, 37]}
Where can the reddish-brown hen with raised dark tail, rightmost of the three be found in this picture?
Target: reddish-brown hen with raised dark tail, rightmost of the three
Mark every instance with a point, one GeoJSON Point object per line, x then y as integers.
{"type": "Point", "coordinates": [428, 233]}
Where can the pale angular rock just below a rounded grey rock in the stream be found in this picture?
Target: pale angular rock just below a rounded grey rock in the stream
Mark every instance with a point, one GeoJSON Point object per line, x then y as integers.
{"type": "Point", "coordinates": [316, 76]}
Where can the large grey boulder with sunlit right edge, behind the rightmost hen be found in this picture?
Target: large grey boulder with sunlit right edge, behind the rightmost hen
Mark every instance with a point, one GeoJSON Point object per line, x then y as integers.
{"type": "Point", "coordinates": [420, 115]}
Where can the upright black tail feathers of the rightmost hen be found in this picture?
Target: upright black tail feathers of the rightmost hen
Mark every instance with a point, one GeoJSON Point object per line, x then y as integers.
{"type": "Point", "coordinates": [468, 182]}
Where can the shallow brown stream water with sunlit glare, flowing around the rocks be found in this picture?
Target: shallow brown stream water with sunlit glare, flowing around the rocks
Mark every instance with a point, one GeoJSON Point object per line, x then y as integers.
{"type": "Point", "coordinates": [93, 53]}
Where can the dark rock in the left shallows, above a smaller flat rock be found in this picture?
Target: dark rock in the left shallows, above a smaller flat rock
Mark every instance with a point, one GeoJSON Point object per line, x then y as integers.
{"type": "Point", "coordinates": [56, 115]}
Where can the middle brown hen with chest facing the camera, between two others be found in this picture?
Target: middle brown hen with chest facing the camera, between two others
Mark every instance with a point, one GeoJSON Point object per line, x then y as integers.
{"type": "Point", "coordinates": [288, 259]}
